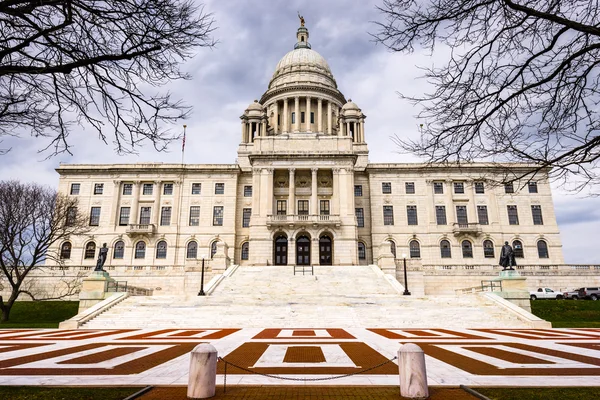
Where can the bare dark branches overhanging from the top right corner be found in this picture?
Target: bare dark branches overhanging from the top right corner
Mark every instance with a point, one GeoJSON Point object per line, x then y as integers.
{"type": "Point", "coordinates": [521, 83]}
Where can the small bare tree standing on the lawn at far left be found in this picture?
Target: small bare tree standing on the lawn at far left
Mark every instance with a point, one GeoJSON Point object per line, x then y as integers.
{"type": "Point", "coordinates": [34, 219]}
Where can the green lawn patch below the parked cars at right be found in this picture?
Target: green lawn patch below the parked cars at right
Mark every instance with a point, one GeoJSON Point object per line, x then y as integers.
{"type": "Point", "coordinates": [568, 313]}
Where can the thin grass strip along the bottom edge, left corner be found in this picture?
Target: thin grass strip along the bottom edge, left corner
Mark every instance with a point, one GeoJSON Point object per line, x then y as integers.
{"type": "Point", "coordinates": [71, 393]}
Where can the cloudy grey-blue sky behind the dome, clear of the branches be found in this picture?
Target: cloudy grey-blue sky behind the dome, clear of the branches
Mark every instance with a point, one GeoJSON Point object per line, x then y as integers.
{"type": "Point", "coordinates": [252, 37]}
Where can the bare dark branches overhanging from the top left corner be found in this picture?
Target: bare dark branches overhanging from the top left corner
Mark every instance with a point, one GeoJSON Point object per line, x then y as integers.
{"type": "Point", "coordinates": [66, 63]}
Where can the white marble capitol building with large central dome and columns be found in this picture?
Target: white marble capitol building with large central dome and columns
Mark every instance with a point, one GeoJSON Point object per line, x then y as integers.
{"type": "Point", "coordinates": [303, 193]}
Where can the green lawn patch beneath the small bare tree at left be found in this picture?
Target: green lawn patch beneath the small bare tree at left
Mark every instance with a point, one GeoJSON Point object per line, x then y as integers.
{"type": "Point", "coordinates": [40, 314]}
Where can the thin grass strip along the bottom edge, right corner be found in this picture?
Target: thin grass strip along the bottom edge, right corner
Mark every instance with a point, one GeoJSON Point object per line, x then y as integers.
{"type": "Point", "coordinates": [571, 393]}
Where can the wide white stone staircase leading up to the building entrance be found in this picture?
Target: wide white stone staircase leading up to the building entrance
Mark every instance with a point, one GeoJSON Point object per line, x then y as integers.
{"type": "Point", "coordinates": [335, 297]}
